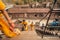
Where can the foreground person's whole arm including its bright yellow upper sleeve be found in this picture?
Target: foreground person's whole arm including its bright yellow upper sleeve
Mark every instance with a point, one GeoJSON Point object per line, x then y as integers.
{"type": "Point", "coordinates": [2, 9]}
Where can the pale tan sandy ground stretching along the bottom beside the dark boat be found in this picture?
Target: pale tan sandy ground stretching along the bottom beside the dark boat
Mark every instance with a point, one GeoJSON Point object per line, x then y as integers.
{"type": "Point", "coordinates": [30, 35]}
